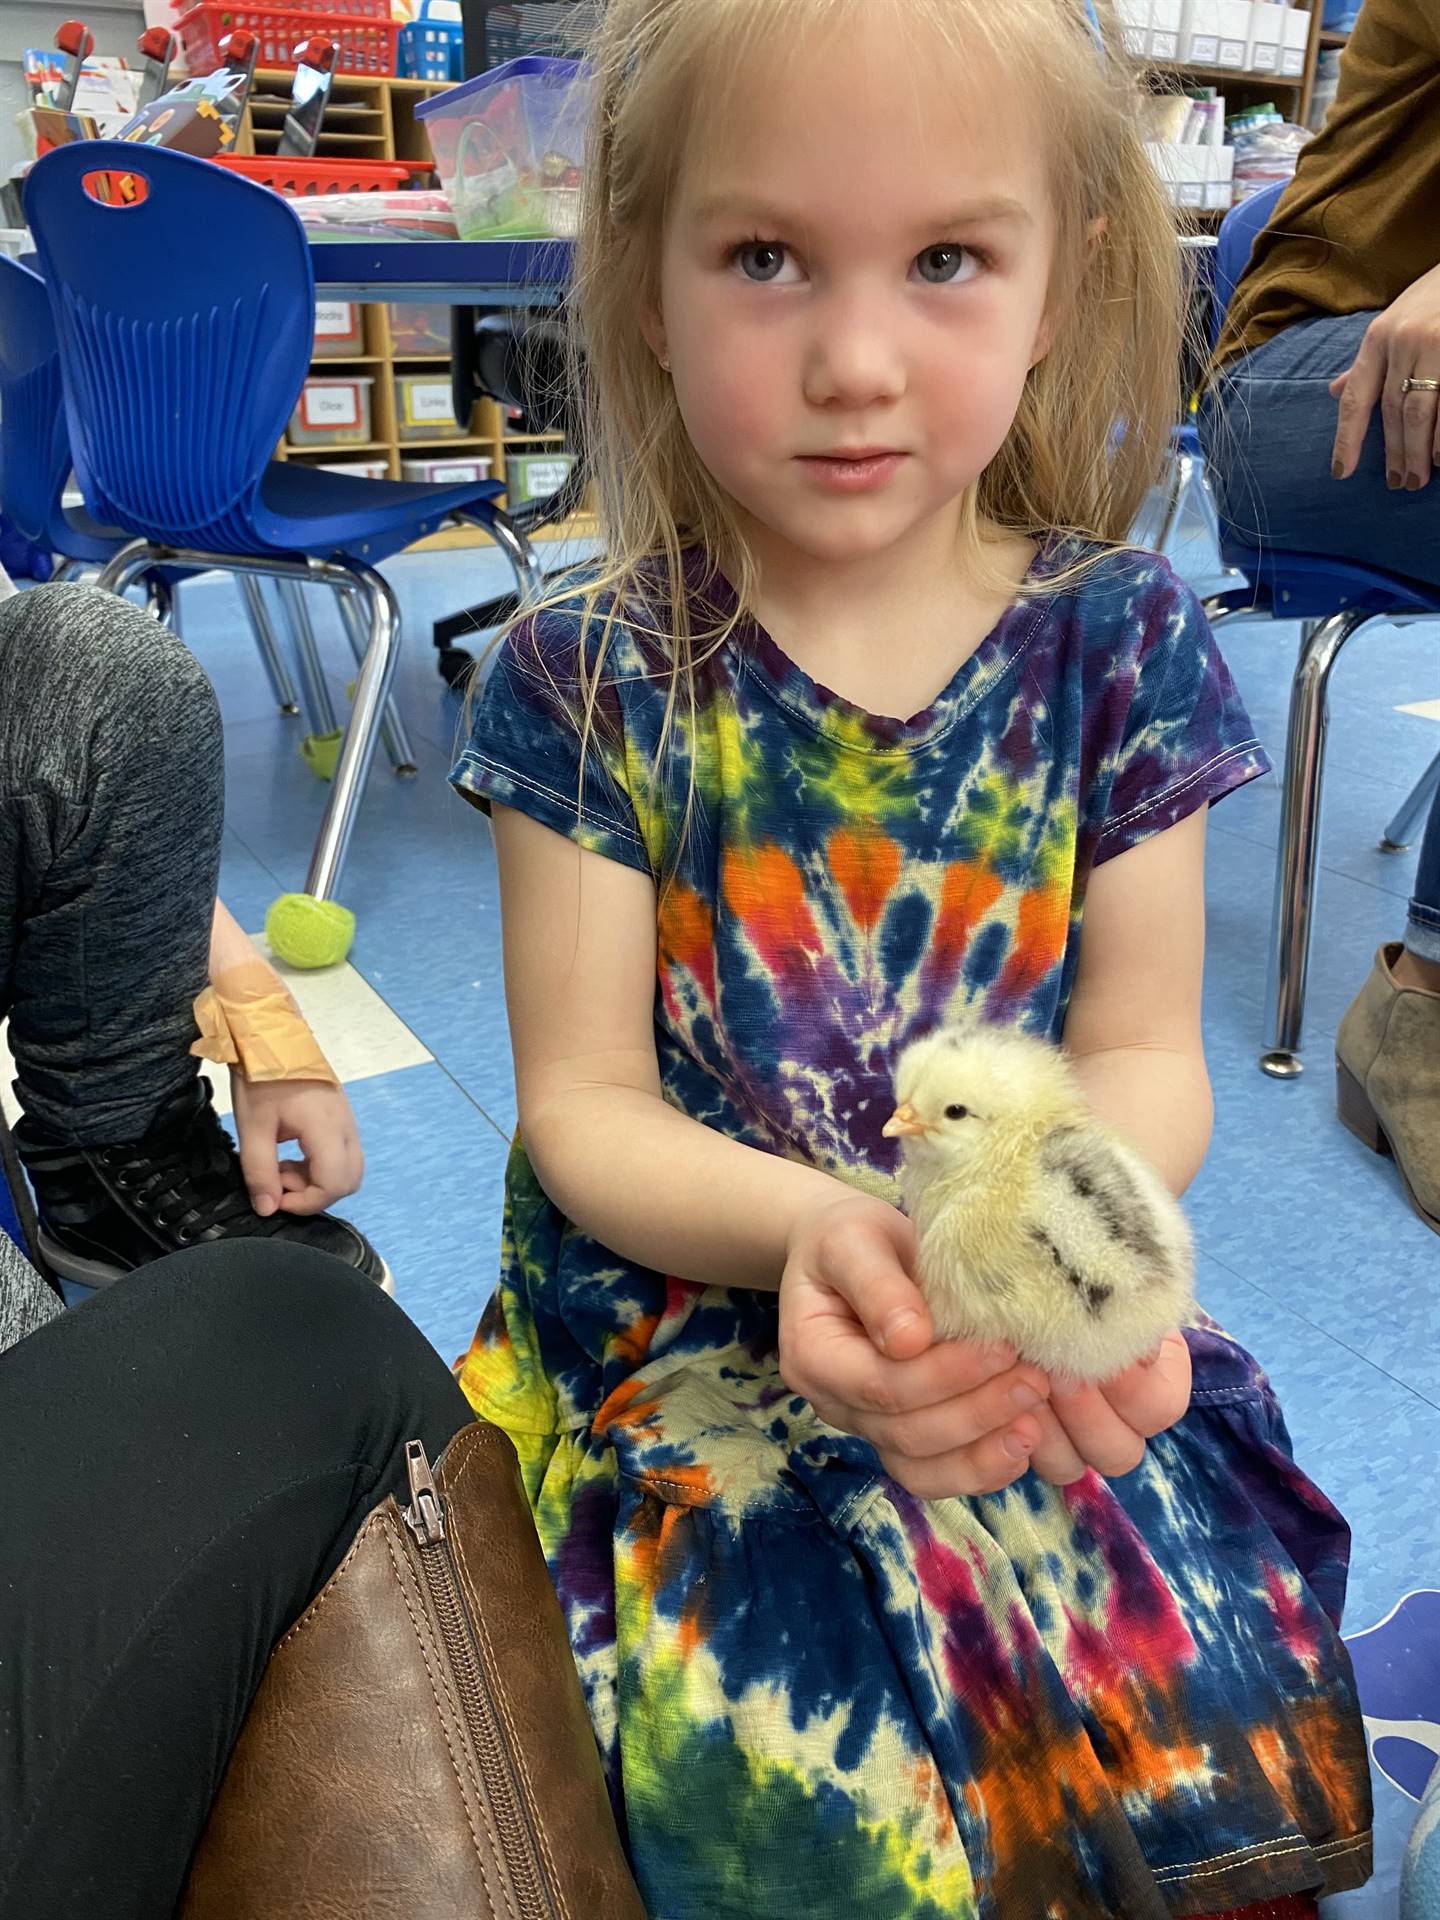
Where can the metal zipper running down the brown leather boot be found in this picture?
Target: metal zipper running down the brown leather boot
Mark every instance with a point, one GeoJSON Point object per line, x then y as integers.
{"type": "Point", "coordinates": [425, 1518]}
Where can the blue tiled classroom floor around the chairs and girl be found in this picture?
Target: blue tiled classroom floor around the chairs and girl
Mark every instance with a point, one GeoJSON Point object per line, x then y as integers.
{"type": "Point", "coordinates": [1310, 1255]}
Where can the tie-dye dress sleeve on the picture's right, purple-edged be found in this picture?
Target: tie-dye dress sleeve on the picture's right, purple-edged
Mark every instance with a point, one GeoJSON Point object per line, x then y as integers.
{"type": "Point", "coordinates": [1188, 740]}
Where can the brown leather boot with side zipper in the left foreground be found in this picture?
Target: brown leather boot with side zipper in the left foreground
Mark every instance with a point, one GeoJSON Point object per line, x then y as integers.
{"type": "Point", "coordinates": [420, 1746]}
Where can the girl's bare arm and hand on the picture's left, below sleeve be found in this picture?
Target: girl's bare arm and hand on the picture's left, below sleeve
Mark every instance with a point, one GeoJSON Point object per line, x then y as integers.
{"type": "Point", "coordinates": [663, 1191]}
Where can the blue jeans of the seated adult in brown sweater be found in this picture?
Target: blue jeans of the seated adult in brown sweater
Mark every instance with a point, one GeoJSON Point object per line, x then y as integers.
{"type": "Point", "coordinates": [1268, 435]}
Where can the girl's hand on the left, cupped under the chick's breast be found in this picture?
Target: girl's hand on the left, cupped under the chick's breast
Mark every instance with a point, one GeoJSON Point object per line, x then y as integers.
{"type": "Point", "coordinates": [857, 1343]}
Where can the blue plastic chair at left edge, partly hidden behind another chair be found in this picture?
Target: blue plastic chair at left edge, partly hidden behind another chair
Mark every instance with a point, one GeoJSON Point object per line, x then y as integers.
{"type": "Point", "coordinates": [36, 464]}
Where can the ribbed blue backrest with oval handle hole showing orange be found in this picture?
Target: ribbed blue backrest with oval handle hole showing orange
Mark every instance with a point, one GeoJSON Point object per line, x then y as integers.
{"type": "Point", "coordinates": [185, 320]}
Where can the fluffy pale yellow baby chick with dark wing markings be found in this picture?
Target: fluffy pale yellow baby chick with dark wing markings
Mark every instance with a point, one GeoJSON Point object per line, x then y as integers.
{"type": "Point", "coordinates": [1036, 1224]}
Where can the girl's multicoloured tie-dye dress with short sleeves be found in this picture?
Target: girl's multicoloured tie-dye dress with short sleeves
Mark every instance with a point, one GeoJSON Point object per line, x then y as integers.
{"type": "Point", "coordinates": [815, 1694]}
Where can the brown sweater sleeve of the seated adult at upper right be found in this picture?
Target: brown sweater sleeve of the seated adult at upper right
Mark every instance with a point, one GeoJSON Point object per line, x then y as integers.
{"type": "Point", "coordinates": [1362, 218]}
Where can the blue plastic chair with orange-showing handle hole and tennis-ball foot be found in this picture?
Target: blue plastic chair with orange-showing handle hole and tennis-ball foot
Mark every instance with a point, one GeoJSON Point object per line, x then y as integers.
{"type": "Point", "coordinates": [185, 318]}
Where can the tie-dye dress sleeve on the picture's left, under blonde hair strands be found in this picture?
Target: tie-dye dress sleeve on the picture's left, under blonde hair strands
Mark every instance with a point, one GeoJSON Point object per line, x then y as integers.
{"type": "Point", "coordinates": [527, 736]}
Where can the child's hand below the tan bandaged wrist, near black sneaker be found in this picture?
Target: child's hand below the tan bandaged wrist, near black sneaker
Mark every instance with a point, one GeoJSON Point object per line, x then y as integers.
{"type": "Point", "coordinates": [320, 1118]}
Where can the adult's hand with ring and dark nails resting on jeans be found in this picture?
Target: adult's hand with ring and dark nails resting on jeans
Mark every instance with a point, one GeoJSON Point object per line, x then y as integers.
{"type": "Point", "coordinates": [1403, 343]}
